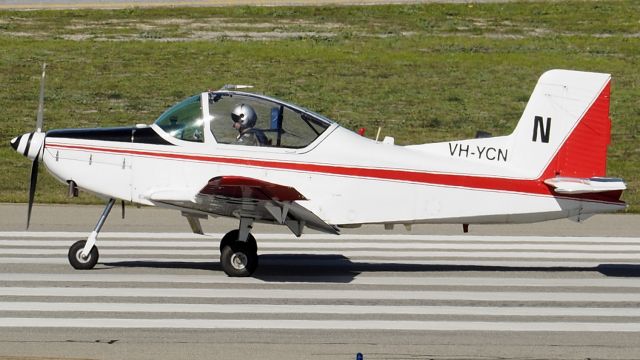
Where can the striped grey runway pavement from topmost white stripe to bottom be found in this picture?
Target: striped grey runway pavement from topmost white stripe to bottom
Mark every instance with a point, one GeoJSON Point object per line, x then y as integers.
{"type": "Point", "coordinates": [390, 296]}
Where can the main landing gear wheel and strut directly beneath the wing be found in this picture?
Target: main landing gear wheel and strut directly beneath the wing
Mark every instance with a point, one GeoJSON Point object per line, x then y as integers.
{"type": "Point", "coordinates": [239, 251]}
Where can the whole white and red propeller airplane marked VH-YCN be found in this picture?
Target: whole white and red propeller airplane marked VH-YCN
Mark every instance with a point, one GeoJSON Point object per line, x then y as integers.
{"type": "Point", "coordinates": [259, 159]}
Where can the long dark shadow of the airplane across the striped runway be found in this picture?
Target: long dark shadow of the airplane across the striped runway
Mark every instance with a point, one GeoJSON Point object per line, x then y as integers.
{"type": "Point", "coordinates": [340, 269]}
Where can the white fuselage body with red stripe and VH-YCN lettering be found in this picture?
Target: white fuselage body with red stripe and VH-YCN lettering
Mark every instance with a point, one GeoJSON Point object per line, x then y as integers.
{"type": "Point", "coordinates": [347, 179]}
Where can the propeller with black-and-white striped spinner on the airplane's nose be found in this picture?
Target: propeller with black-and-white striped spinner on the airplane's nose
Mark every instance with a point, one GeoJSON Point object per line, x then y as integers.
{"type": "Point", "coordinates": [31, 145]}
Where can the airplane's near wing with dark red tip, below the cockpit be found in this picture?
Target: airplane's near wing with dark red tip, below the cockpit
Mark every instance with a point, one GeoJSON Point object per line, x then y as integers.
{"type": "Point", "coordinates": [237, 196]}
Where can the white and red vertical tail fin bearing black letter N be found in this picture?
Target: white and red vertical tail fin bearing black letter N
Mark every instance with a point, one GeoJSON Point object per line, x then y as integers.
{"type": "Point", "coordinates": [565, 128]}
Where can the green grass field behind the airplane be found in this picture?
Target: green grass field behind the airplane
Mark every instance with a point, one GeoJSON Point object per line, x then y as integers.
{"type": "Point", "coordinates": [423, 72]}
